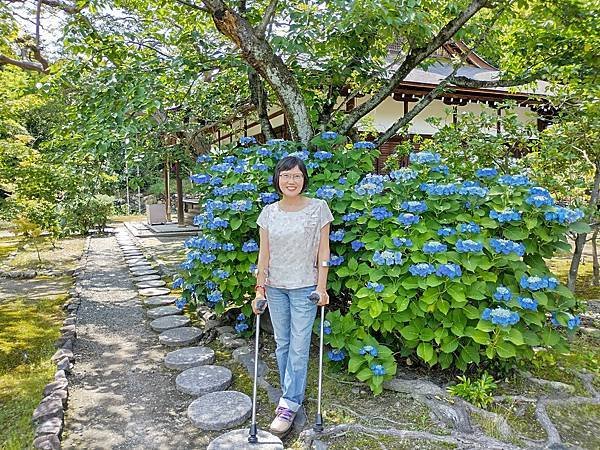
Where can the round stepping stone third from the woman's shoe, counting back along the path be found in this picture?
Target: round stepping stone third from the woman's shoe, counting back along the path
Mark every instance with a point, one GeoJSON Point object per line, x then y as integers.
{"type": "Point", "coordinates": [203, 379]}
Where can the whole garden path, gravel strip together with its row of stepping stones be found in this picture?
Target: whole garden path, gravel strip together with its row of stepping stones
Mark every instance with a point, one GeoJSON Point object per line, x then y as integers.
{"type": "Point", "coordinates": [121, 397]}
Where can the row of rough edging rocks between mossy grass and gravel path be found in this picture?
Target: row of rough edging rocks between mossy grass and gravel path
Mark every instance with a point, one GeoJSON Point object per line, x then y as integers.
{"type": "Point", "coordinates": [49, 414]}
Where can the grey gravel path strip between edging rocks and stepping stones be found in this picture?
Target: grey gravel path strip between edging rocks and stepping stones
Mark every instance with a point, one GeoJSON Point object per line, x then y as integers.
{"type": "Point", "coordinates": [121, 396]}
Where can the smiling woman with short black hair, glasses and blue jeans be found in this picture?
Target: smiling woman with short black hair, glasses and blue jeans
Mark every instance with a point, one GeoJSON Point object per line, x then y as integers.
{"type": "Point", "coordinates": [292, 263]}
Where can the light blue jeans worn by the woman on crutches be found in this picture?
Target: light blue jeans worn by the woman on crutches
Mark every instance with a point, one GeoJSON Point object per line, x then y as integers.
{"type": "Point", "coordinates": [292, 315]}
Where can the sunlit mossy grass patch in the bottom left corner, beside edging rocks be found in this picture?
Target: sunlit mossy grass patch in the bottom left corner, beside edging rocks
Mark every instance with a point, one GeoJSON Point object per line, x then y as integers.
{"type": "Point", "coordinates": [28, 330]}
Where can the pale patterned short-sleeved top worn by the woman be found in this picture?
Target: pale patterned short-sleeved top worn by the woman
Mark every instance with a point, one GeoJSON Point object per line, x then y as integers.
{"type": "Point", "coordinates": [294, 243]}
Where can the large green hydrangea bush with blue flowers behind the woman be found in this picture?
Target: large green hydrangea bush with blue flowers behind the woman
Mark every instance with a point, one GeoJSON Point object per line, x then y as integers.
{"type": "Point", "coordinates": [422, 263]}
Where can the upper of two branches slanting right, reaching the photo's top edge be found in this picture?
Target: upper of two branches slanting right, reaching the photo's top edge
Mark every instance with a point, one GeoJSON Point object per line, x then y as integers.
{"type": "Point", "coordinates": [412, 60]}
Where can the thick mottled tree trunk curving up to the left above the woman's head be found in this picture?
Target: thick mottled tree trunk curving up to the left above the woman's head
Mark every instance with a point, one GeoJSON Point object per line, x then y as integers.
{"type": "Point", "coordinates": [259, 54]}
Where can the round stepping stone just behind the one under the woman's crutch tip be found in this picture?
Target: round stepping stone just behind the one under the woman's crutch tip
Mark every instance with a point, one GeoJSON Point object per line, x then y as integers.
{"type": "Point", "coordinates": [220, 410]}
